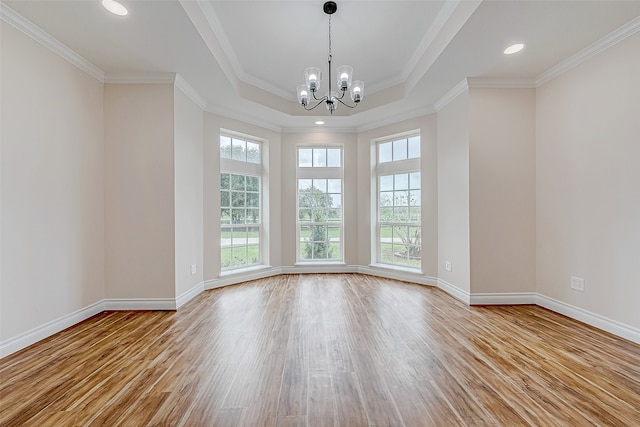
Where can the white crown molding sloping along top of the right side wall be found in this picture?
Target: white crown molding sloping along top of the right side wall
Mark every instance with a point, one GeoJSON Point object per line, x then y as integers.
{"type": "Point", "coordinates": [590, 51]}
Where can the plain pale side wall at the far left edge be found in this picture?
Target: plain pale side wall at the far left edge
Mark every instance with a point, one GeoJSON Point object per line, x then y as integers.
{"type": "Point", "coordinates": [52, 186]}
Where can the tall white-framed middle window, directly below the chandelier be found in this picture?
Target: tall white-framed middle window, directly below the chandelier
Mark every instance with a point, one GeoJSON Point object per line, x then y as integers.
{"type": "Point", "coordinates": [319, 225]}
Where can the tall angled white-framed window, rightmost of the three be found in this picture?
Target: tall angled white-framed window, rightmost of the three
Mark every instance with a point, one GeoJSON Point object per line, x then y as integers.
{"type": "Point", "coordinates": [398, 202]}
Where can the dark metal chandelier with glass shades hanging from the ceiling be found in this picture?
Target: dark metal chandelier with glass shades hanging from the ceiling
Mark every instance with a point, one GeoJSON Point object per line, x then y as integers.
{"type": "Point", "coordinates": [313, 76]}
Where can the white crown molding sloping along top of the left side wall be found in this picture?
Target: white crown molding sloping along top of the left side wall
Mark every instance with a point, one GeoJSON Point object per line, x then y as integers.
{"type": "Point", "coordinates": [13, 18]}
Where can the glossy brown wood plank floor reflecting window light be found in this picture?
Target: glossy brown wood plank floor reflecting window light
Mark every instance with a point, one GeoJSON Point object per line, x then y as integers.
{"type": "Point", "coordinates": [325, 350]}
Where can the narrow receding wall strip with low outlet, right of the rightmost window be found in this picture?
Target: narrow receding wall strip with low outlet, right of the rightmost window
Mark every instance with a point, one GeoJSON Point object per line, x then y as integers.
{"type": "Point", "coordinates": [453, 193]}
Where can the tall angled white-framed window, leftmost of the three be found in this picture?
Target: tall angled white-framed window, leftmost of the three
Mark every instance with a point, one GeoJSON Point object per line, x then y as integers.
{"type": "Point", "coordinates": [240, 203]}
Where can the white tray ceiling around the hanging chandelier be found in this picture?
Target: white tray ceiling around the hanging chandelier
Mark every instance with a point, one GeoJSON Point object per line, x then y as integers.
{"type": "Point", "coordinates": [245, 58]}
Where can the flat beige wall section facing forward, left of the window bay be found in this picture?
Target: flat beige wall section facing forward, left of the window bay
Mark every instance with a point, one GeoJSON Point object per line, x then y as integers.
{"type": "Point", "coordinates": [139, 191]}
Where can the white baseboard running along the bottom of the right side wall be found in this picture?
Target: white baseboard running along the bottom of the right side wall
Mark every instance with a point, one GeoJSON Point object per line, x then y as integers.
{"type": "Point", "coordinates": [593, 319]}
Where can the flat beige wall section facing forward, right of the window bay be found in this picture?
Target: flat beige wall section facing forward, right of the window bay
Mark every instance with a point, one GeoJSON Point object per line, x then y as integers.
{"type": "Point", "coordinates": [502, 190]}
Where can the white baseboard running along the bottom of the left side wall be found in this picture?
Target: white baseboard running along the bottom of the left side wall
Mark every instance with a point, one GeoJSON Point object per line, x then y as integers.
{"type": "Point", "coordinates": [41, 332]}
